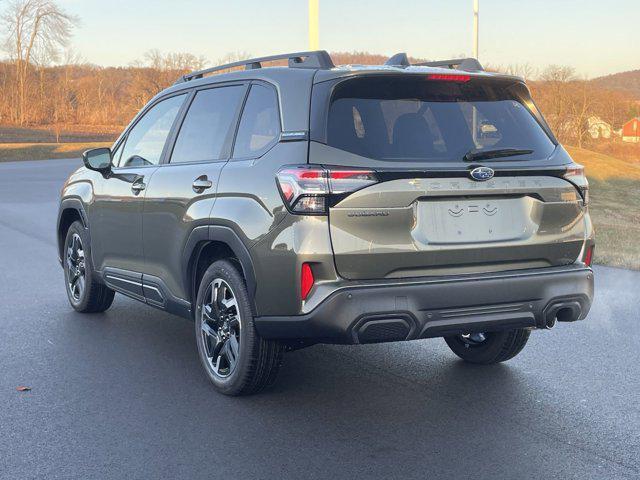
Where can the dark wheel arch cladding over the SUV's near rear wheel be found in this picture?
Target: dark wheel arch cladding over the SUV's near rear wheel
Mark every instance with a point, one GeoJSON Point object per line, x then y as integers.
{"type": "Point", "coordinates": [205, 245]}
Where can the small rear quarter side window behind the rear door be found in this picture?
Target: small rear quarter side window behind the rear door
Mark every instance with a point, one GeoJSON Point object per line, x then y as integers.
{"type": "Point", "coordinates": [260, 123]}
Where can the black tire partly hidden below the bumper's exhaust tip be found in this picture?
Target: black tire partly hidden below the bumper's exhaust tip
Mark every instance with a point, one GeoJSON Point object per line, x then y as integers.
{"type": "Point", "coordinates": [496, 347]}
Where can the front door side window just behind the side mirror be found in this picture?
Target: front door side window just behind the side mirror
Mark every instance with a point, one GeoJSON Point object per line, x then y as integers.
{"type": "Point", "coordinates": [146, 139]}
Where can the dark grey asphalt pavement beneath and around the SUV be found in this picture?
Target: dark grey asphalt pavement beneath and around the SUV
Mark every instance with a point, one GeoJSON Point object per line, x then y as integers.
{"type": "Point", "coordinates": [121, 394]}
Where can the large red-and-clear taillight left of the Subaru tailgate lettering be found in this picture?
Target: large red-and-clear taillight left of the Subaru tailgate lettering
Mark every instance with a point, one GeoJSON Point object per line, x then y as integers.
{"type": "Point", "coordinates": [306, 190]}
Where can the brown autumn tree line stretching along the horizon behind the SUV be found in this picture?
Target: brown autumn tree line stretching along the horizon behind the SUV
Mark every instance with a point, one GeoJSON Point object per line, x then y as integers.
{"type": "Point", "coordinates": [41, 84]}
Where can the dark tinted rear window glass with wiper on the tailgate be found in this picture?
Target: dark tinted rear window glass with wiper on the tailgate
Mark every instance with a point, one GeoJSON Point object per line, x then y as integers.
{"type": "Point", "coordinates": [387, 118]}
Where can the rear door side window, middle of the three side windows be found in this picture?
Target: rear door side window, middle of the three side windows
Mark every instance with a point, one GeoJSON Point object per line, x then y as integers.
{"type": "Point", "coordinates": [207, 125]}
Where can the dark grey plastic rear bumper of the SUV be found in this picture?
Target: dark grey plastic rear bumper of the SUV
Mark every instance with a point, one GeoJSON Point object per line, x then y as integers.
{"type": "Point", "coordinates": [405, 310]}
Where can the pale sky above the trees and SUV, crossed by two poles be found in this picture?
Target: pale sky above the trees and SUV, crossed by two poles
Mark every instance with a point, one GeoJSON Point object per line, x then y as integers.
{"type": "Point", "coordinates": [595, 37]}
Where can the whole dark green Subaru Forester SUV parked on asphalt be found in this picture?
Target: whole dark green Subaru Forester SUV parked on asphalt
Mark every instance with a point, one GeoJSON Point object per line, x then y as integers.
{"type": "Point", "coordinates": [303, 203]}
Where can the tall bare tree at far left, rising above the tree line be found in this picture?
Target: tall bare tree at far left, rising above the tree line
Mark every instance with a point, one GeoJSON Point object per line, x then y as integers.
{"type": "Point", "coordinates": [36, 30]}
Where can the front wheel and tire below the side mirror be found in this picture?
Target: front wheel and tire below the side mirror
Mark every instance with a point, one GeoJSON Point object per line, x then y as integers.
{"type": "Point", "coordinates": [84, 292]}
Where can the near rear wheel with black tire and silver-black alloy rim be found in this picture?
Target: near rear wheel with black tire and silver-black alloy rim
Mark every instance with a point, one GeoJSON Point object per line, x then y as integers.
{"type": "Point", "coordinates": [237, 361]}
